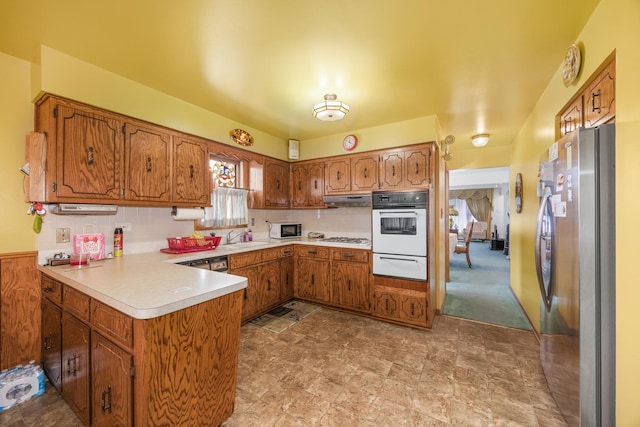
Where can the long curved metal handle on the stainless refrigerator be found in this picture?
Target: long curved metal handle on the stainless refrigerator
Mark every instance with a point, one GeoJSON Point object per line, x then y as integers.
{"type": "Point", "coordinates": [544, 249]}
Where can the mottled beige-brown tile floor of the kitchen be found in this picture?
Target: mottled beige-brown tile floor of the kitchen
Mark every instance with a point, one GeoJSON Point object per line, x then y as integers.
{"type": "Point", "coordinates": [336, 369]}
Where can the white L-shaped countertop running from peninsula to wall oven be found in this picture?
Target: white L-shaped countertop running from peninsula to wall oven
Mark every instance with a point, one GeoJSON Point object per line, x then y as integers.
{"type": "Point", "coordinates": [149, 285]}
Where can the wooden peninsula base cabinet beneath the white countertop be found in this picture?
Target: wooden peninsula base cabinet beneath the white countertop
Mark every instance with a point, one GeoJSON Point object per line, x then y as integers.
{"type": "Point", "coordinates": [180, 369]}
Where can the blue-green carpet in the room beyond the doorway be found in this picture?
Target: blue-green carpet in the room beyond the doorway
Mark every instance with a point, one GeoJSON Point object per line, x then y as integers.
{"type": "Point", "coordinates": [482, 292]}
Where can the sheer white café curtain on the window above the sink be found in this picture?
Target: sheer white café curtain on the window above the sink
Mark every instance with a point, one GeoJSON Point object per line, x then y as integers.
{"type": "Point", "coordinates": [228, 208]}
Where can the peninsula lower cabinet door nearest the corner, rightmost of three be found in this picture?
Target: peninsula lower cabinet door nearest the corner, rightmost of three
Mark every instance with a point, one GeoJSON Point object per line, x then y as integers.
{"type": "Point", "coordinates": [112, 384]}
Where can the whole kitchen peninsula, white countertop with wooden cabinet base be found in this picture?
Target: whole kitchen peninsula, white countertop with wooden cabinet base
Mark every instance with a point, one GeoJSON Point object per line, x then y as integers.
{"type": "Point", "coordinates": [137, 341]}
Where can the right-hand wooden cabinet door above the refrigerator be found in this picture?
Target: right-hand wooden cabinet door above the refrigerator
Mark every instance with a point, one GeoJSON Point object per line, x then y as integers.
{"type": "Point", "coordinates": [600, 97]}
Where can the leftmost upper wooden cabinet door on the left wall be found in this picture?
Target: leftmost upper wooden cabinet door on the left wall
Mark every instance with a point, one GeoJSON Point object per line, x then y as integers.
{"type": "Point", "coordinates": [89, 147]}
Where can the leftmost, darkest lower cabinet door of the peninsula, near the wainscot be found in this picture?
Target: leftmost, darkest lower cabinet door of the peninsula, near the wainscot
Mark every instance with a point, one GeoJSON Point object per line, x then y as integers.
{"type": "Point", "coordinates": [52, 342]}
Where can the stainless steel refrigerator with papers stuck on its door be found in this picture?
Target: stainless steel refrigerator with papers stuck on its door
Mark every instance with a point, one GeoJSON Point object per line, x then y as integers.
{"type": "Point", "coordinates": [575, 263]}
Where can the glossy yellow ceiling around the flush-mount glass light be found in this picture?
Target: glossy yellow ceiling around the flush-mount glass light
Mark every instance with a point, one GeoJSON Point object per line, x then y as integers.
{"type": "Point", "coordinates": [480, 66]}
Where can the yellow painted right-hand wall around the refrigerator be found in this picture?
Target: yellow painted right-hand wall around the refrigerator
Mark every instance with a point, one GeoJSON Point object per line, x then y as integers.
{"type": "Point", "coordinates": [614, 25]}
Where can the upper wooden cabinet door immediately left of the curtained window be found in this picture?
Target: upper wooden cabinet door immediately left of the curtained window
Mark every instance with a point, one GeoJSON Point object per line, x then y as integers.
{"type": "Point", "coordinates": [192, 179]}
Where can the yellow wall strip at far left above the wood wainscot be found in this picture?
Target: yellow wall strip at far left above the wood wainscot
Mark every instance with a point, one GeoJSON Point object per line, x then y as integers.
{"type": "Point", "coordinates": [16, 119]}
